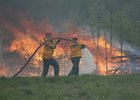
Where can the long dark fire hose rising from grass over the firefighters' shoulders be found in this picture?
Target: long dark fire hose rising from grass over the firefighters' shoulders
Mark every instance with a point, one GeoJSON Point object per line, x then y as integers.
{"type": "Point", "coordinates": [35, 53]}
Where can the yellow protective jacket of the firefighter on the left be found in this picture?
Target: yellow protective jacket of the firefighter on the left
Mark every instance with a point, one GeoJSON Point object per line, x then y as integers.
{"type": "Point", "coordinates": [48, 49]}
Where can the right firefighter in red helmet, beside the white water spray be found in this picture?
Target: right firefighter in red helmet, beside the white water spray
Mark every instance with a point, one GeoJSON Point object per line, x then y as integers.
{"type": "Point", "coordinates": [75, 55]}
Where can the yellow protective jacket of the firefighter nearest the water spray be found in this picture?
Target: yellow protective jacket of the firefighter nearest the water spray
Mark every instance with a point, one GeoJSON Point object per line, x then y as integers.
{"type": "Point", "coordinates": [75, 50]}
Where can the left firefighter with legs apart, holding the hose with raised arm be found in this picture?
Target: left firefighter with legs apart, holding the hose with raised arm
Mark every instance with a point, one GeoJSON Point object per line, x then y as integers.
{"type": "Point", "coordinates": [47, 55]}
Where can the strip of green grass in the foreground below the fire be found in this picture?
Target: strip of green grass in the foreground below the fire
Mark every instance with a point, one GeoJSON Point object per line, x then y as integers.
{"type": "Point", "coordinates": [87, 87]}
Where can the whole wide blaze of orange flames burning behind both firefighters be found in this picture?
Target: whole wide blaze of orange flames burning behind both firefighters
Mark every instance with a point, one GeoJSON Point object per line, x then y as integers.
{"type": "Point", "coordinates": [21, 35]}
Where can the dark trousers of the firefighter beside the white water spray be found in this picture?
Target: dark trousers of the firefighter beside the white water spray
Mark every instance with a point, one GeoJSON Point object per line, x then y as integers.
{"type": "Point", "coordinates": [75, 67]}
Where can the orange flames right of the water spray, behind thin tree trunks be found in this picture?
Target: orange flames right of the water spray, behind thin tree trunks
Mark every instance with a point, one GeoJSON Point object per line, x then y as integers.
{"type": "Point", "coordinates": [101, 60]}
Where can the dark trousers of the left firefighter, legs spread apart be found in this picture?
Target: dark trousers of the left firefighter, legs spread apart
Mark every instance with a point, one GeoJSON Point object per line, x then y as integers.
{"type": "Point", "coordinates": [47, 63]}
